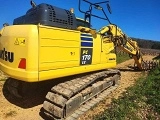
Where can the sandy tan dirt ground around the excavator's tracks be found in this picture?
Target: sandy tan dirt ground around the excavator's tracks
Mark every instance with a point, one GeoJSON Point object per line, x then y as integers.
{"type": "Point", "coordinates": [28, 109]}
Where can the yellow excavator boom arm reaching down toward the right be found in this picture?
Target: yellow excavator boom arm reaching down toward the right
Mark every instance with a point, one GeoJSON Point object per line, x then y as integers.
{"type": "Point", "coordinates": [123, 42]}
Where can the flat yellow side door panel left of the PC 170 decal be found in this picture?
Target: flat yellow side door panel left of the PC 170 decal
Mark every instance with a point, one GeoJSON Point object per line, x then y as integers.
{"type": "Point", "coordinates": [59, 48]}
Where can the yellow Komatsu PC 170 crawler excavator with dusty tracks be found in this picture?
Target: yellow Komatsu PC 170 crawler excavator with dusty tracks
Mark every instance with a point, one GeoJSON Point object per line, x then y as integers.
{"type": "Point", "coordinates": [49, 42]}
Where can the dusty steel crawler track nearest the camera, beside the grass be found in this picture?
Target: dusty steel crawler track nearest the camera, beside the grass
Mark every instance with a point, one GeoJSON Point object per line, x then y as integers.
{"type": "Point", "coordinates": [72, 98]}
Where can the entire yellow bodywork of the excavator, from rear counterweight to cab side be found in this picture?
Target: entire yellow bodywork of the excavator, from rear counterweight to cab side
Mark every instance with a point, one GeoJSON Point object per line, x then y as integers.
{"type": "Point", "coordinates": [53, 52]}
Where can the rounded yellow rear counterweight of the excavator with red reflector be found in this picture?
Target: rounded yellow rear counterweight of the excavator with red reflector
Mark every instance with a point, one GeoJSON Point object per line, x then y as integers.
{"type": "Point", "coordinates": [29, 50]}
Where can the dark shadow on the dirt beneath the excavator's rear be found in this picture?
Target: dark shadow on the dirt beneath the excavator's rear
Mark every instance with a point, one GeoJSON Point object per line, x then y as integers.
{"type": "Point", "coordinates": [35, 94]}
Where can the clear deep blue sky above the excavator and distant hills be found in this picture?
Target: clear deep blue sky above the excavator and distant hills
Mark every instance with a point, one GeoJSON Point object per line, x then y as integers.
{"type": "Point", "coordinates": [136, 18]}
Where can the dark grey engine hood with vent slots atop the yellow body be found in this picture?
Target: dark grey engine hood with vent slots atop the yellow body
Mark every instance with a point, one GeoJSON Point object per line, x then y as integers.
{"type": "Point", "coordinates": [48, 15]}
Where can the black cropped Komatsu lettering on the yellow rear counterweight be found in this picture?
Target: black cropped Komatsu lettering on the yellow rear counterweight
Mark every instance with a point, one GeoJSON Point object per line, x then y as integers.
{"type": "Point", "coordinates": [7, 56]}
